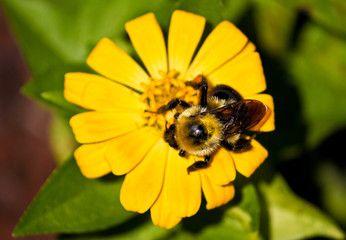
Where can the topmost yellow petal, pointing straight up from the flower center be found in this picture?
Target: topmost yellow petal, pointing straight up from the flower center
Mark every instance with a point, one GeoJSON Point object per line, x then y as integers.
{"type": "Point", "coordinates": [185, 32]}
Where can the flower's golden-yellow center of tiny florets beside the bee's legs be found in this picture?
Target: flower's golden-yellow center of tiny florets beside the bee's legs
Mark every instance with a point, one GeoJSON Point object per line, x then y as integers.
{"type": "Point", "coordinates": [160, 91]}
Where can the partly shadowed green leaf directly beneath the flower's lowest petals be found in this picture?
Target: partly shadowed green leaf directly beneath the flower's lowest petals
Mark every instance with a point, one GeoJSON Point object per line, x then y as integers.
{"type": "Point", "coordinates": [241, 222]}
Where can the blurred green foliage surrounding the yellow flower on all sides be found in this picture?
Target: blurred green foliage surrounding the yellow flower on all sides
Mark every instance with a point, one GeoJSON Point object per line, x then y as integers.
{"type": "Point", "coordinates": [303, 49]}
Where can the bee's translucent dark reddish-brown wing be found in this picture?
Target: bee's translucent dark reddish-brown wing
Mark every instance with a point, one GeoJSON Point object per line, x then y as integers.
{"type": "Point", "coordinates": [240, 116]}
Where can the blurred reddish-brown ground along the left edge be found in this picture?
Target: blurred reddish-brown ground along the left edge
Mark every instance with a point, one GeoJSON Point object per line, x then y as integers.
{"type": "Point", "coordinates": [25, 157]}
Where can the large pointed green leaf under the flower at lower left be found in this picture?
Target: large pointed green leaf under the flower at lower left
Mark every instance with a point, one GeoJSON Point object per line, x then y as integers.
{"type": "Point", "coordinates": [71, 203]}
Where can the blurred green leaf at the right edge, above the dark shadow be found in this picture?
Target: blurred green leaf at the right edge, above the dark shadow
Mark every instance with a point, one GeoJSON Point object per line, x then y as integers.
{"type": "Point", "coordinates": [318, 69]}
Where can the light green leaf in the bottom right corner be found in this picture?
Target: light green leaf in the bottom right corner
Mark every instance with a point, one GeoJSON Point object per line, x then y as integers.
{"type": "Point", "coordinates": [290, 217]}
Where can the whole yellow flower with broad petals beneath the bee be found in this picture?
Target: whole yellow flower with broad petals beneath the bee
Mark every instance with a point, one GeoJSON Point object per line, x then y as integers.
{"type": "Point", "coordinates": [119, 136]}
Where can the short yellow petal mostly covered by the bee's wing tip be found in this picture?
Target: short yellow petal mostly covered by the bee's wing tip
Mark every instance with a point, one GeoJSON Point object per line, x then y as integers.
{"type": "Point", "coordinates": [268, 122]}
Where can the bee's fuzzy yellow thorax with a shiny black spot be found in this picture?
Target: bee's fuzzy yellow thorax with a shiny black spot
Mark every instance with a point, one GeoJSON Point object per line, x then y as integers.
{"type": "Point", "coordinates": [198, 135]}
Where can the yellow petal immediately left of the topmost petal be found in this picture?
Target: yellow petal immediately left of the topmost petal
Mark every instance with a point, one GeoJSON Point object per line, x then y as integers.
{"type": "Point", "coordinates": [147, 38]}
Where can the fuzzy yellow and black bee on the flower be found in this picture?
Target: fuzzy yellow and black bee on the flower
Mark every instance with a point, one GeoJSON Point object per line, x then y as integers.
{"type": "Point", "coordinates": [217, 121]}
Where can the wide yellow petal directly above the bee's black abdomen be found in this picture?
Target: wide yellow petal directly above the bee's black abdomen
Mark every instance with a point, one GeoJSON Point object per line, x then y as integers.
{"type": "Point", "coordinates": [244, 74]}
